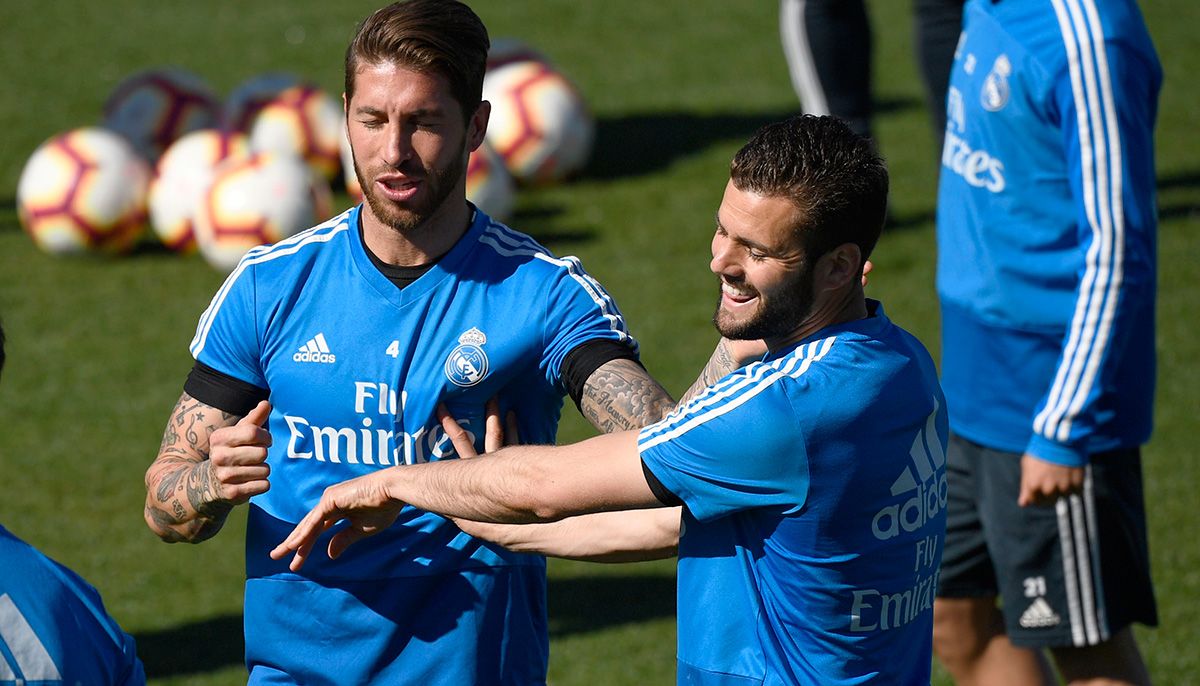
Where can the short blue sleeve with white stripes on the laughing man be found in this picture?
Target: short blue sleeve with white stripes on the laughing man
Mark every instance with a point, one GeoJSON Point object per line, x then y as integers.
{"type": "Point", "coordinates": [736, 447]}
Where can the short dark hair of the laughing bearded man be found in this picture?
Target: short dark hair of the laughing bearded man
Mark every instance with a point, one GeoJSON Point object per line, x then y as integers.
{"type": "Point", "coordinates": [833, 177]}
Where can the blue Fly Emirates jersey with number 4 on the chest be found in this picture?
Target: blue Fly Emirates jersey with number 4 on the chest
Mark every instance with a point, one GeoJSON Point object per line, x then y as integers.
{"type": "Point", "coordinates": [356, 369]}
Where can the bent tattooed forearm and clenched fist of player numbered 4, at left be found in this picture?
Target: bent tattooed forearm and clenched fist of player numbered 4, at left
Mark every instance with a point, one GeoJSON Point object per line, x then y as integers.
{"type": "Point", "coordinates": [209, 462]}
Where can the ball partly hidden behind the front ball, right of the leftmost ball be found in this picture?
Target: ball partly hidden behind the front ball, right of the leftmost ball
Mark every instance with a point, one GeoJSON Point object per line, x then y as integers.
{"type": "Point", "coordinates": [184, 176]}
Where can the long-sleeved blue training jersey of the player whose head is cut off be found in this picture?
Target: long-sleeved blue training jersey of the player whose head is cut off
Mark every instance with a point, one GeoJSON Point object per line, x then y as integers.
{"type": "Point", "coordinates": [1047, 228]}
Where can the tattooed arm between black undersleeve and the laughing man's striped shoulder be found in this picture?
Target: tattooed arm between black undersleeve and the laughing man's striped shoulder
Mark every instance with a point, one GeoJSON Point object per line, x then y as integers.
{"type": "Point", "coordinates": [621, 395]}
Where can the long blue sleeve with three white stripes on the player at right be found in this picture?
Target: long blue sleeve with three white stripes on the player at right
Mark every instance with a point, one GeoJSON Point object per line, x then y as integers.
{"type": "Point", "coordinates": [1107, 107]}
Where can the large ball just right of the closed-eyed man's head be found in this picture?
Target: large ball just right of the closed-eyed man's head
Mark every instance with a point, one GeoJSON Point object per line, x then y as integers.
{"type": "Point", "coordinates": [541, 125]}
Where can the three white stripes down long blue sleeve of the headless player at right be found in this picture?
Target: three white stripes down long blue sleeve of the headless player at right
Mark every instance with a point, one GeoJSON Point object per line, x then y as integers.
{"type": "Point", "coordinates": [1103, 184]}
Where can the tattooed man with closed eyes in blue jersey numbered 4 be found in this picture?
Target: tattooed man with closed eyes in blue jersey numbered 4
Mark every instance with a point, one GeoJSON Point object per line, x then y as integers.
{"type": "Point", "coordinates": [355, 332]}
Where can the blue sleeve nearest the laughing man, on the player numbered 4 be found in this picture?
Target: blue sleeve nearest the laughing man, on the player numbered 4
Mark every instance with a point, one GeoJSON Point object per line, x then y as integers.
{"type": "Point", "coordinates": [578, 310]}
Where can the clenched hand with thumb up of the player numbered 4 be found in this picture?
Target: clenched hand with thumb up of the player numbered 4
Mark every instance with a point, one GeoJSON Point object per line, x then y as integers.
{"type": "Point", "coordinates": [238, 458]}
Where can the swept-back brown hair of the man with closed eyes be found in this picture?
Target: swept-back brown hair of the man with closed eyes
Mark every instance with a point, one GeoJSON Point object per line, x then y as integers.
{"type": "Point", "coordinates": [434, 37]}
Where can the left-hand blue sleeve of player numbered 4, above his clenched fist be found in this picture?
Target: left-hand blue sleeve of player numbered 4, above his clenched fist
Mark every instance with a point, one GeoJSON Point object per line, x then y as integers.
{"type": "Point", "coordinates": [227, 338]}
